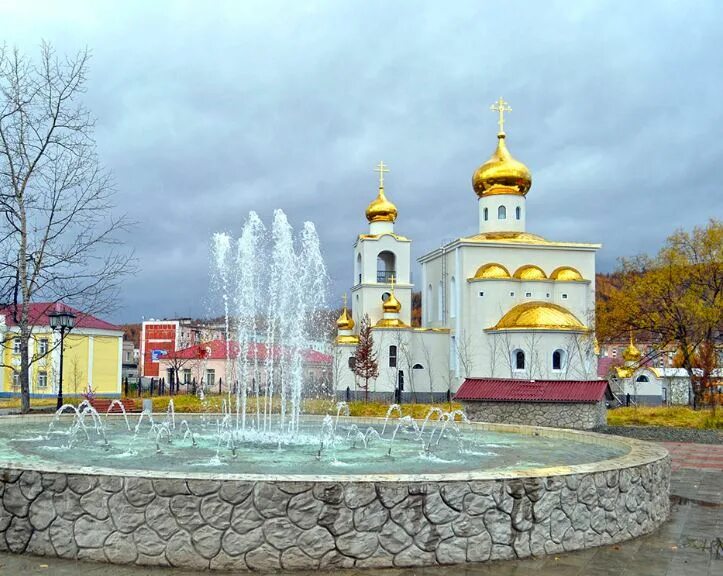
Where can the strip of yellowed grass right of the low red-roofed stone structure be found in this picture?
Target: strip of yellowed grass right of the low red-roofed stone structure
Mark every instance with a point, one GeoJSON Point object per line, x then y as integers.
{"type": "Point", "coordinates": [672, 416]}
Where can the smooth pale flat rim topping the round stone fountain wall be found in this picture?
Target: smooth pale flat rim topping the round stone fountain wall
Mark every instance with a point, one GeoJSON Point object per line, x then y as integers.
{"type": "Point", "coordinates": [639, 453]}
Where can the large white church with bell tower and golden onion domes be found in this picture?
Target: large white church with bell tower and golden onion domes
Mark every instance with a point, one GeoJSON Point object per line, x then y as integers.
{"type": "Point", "coordinates": [504, 303]}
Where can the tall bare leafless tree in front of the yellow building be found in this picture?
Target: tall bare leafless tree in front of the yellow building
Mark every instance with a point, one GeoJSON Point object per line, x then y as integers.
{"type": "Point", "coordinates": [58, 237]}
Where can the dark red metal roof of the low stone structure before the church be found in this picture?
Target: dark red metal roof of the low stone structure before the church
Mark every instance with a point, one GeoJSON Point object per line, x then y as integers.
{"type": "Point", "coordinates": [508, 390]}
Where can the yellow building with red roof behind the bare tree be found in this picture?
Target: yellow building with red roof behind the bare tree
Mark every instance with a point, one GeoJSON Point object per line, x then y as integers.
{"type": "Point", "coordinates": [92, 355]}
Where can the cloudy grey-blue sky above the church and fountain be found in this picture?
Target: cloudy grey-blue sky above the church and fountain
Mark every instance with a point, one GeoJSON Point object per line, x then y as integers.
{"type": "Point", "coordinates": [207, 110]}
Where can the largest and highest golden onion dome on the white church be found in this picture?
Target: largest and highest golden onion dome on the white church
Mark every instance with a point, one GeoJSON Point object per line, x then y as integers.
{"type": "Point", "coordinates": [501, 174]}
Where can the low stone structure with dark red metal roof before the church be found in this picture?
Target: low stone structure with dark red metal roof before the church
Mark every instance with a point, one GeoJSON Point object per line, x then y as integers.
{"type": "Point", "coordinates": [559, 403]}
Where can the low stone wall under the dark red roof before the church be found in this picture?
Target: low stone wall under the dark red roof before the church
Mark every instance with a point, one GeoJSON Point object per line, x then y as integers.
{"type": "Point", "coordinates": [578, 415]}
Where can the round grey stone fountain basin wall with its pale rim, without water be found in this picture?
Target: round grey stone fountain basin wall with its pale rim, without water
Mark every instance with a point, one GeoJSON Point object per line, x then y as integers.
{"type": "Point", "coordinates": [270, 522]}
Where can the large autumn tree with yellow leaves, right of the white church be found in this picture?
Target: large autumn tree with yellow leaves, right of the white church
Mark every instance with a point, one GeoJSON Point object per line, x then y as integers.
{"type": "Point", "coordinates": [675, 298]}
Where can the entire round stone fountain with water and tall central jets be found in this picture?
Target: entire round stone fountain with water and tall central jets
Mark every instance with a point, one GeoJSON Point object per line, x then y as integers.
{"type": "Point", "coordinates": [259, 486]}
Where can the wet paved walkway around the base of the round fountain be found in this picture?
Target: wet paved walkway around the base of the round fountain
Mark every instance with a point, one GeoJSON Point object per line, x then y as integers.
{"type": "Point", "coordinates": [689, 544]}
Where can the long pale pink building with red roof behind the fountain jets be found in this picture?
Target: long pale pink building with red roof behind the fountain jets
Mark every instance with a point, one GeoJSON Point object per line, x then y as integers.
{"type": "Point", "coordinates": [207, 362]}
